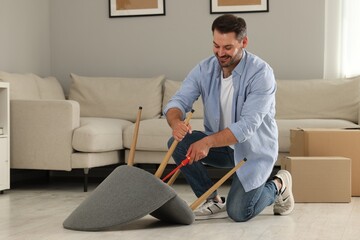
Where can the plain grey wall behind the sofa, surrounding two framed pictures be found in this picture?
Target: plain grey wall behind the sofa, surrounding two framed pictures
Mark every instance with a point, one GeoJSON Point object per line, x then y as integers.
{"type": "Point", "coordinates": [58, 37]}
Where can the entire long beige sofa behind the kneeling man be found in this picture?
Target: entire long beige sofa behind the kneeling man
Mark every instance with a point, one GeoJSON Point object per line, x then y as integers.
{"type": "Point", "coordinates": [95, 125]}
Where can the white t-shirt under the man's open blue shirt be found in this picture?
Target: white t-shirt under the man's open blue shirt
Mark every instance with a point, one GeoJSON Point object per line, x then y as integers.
{"type": "Point", "coordinates": [226, 101]}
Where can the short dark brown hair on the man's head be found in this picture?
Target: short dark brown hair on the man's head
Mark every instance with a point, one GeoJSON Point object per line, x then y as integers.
{"type": "Point", "coordinates": [229, 23]}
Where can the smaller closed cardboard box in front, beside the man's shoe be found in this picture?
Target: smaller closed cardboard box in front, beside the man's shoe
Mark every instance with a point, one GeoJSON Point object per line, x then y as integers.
{"type": "Point", "coordinates": [320, 179]}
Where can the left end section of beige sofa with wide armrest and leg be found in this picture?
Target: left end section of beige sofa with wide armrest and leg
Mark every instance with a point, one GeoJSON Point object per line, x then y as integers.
{"type": "Point", "coordinates": [47, 132]}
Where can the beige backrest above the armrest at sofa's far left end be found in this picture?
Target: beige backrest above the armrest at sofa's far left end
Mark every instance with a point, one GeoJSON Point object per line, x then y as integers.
{"type": "Point", "coordinates": [32, 87]}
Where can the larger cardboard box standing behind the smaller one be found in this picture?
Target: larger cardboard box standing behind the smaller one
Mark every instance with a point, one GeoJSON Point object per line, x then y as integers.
{"type": "Point", "coordinates": [330, 142]}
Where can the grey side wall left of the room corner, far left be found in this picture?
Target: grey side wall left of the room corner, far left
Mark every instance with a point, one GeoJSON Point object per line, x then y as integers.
{"type": "Point", "coordinates": [25, 36]}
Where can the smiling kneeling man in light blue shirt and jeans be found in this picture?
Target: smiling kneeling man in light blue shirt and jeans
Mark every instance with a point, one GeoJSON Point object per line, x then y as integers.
{"type": "Point", "coordinates": [238, 93]}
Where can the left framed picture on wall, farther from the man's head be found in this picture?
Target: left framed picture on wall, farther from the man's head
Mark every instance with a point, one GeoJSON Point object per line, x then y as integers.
{"type": "Point", "coordinates": [134, 8]}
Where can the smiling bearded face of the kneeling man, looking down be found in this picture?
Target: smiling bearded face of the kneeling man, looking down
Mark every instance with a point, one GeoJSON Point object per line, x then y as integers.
{"type": "Point", "coordinates": [227, 48]}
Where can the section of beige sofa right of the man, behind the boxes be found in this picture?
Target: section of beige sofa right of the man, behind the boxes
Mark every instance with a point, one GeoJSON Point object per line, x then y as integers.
{"type": "Point", "coordinates": [316, 103]}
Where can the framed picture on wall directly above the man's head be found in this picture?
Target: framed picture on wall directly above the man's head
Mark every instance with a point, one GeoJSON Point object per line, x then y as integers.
{"type": "Point", "coordinates": [238, 6]}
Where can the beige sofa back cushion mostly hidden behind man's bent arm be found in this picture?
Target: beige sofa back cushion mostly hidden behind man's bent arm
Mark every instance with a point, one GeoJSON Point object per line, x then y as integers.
{"type": "Point", "coordinates": [171, 87]}
